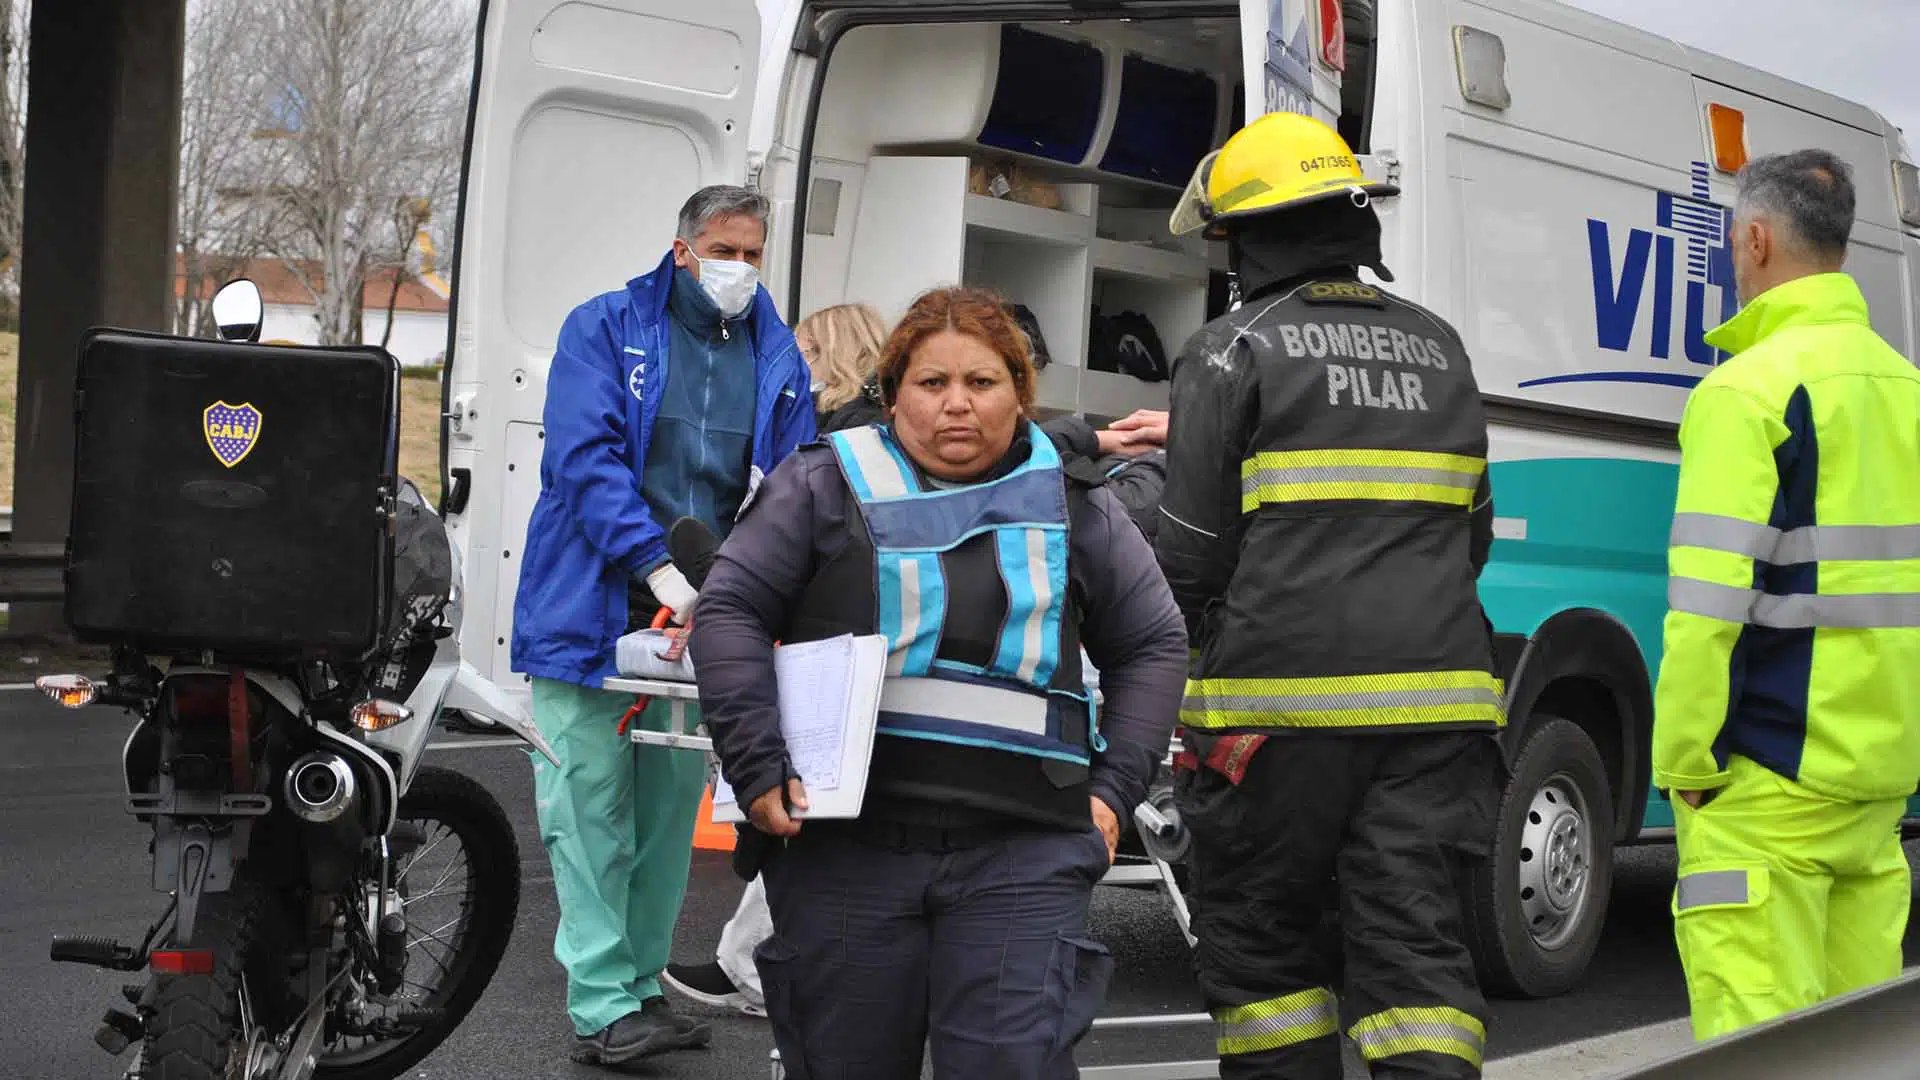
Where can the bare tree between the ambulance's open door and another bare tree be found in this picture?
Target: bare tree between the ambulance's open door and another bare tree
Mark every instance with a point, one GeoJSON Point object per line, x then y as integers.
{"type": "Point", "coordinates": [377, 99]}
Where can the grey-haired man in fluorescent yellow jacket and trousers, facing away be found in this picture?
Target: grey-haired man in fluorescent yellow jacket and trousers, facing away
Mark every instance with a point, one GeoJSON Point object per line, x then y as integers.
{"type": "Point", "coordinates": [1788, 706]}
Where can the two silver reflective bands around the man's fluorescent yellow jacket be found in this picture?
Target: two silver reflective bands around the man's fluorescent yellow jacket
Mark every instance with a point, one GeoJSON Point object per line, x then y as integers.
{"type": "Point", "coordinates": [1794, 547]}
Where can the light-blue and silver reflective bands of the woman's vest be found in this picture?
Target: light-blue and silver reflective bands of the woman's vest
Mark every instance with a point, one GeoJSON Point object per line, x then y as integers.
{"type": "Point", "coordinates": [1005, 704]}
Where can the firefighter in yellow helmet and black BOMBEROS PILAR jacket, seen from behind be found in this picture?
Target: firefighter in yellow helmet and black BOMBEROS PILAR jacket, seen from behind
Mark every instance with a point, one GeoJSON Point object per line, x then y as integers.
{"type": "Point", "coordinates": [1328, 514]}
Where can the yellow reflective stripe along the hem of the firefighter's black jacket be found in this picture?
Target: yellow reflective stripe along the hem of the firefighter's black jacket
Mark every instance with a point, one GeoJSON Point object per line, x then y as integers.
{"type": "Point", "coordinates": [1345, 700]}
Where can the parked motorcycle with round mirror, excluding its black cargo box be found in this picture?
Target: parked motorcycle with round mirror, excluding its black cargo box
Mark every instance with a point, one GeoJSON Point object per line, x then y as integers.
{"type": "Point", "coordinates": [335, 906]}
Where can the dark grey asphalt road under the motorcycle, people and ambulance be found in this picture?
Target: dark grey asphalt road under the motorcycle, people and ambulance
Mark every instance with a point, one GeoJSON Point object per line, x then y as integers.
{"type": "Point", "coordinates": [76, 864]}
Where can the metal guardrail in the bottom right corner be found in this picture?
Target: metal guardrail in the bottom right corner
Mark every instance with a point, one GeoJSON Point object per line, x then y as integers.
{"type": "Point", "coordinates": [1869, 1035]}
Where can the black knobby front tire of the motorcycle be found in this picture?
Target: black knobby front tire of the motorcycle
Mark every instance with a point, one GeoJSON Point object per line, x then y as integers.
{"type": "Point", "coordinates": [494, 858]}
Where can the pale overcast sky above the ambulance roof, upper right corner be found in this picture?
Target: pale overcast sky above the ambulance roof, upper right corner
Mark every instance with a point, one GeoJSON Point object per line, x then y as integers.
{"type": "Point", "coordinates": [1865, 51]}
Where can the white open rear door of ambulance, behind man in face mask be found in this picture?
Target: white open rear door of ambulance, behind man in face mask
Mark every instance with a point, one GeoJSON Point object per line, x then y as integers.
{"type": "Point", "coordinates": [592, 126]}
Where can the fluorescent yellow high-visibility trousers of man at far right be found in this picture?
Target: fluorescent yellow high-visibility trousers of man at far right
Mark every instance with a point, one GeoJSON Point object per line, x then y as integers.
{"type": "Point", "coordinates": [1787, 898]}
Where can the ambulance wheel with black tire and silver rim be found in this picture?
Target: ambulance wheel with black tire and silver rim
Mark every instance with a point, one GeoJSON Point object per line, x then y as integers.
{"type": "Point", "coordinates": [1535, 910]}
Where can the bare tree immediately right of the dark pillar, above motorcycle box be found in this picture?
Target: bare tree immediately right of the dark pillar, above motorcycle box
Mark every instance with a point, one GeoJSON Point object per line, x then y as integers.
{"type": "Point", "coordinates": [233, 157]}
